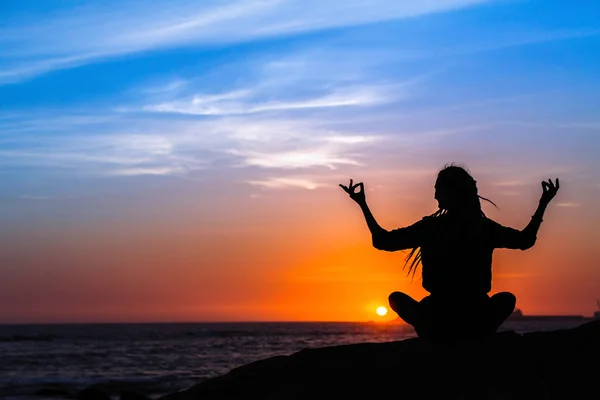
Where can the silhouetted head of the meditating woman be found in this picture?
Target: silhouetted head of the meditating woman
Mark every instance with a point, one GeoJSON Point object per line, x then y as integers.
{"type": "Point", "coordinates": [455, 189]}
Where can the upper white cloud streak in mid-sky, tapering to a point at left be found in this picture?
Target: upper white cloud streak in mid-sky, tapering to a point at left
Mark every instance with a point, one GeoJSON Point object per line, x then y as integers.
{"type": "Point", "coordinates": [299, 81]}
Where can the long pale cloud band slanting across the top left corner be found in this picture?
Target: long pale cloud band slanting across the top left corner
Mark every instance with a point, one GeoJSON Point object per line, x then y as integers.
{"type": "Point", "coordinates": [68, 38]}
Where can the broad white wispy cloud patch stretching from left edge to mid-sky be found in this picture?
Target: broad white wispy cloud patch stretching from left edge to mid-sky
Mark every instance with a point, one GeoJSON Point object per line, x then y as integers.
{"type": "Point", "coordinates": [261, 122]}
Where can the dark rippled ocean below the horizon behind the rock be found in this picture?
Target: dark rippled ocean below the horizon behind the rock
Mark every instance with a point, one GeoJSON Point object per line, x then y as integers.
{"type": "Point", "coordinates": [52, 362]}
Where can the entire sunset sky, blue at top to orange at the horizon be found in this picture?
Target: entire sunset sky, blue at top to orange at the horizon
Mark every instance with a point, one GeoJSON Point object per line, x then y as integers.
{"type": "Point", "coordinates": [180, 161]}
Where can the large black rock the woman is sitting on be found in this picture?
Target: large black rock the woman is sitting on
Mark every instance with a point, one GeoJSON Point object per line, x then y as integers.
{"type": "Point", "coordinates": [539, 365]}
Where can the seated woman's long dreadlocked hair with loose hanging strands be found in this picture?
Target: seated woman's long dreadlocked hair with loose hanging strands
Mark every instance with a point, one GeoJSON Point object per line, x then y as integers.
{"type": "Point", "coordinates": [458, 180]}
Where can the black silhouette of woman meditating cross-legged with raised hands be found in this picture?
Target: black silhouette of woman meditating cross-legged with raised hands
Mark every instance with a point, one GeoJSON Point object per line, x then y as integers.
{"type": "Point", "coordinates": [454, 246]}
